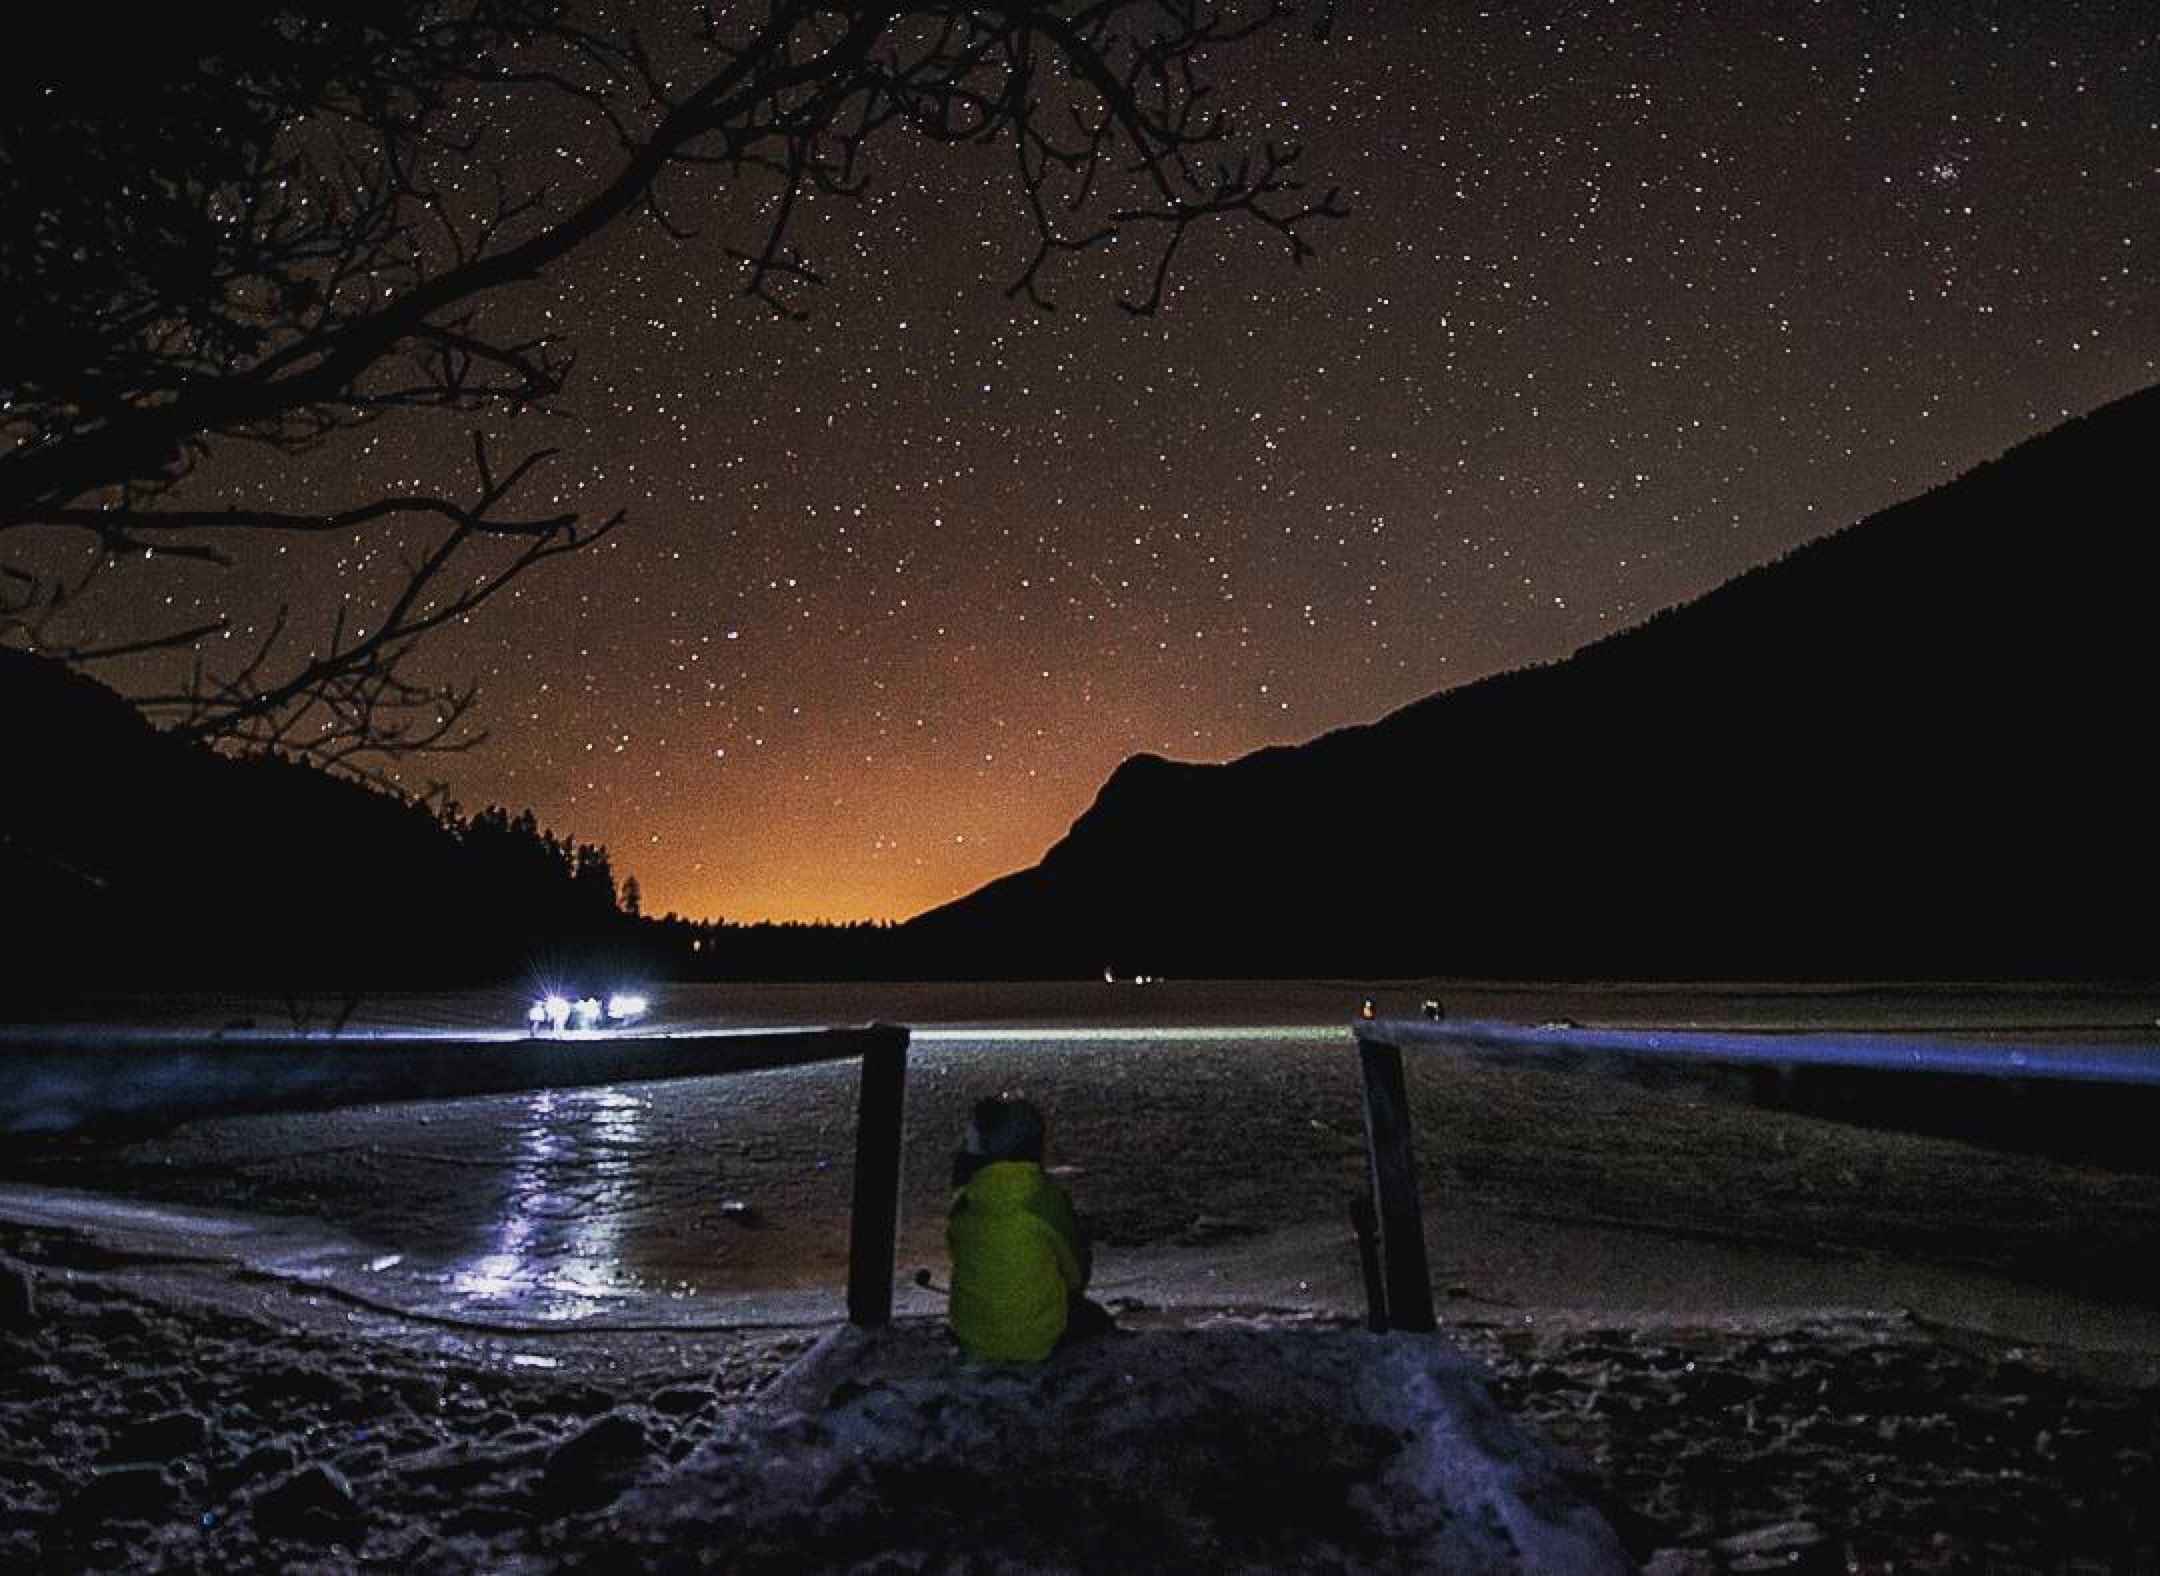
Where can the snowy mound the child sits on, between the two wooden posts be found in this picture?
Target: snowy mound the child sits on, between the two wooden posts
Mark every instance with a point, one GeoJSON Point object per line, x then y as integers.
{"type": "Point", "coordinates": [1167, 1450]}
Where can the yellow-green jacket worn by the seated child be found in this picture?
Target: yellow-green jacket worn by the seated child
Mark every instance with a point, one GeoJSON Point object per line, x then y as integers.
{"type": "Point", "coordinates": [1018, 1260]}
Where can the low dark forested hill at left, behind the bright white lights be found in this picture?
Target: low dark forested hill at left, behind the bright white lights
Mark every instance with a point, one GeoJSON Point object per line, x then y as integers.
{"type": "Point", "coordinates": [131, 860]}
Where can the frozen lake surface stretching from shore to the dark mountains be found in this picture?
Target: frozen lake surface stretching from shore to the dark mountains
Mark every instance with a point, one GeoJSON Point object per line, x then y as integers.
{"type": "Point", "coordinates": [1211, 1132]}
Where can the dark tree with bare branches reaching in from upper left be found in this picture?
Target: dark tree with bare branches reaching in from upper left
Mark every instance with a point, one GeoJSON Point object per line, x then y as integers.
{"type": "Point", "coordinates": [269, 226]}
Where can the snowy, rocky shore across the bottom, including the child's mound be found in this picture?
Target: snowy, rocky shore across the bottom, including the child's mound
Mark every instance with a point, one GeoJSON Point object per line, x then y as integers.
{"type": "Point", "coordinates": [161, 1417]}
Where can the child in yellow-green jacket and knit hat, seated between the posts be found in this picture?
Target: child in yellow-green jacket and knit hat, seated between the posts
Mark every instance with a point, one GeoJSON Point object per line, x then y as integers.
{"type": "Point", "coordinates": [1021, 1260]}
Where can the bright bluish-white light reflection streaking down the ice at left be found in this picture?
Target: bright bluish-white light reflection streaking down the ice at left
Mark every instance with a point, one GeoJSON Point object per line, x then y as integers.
{"type": "Point", "coordinates": [556, 1249]}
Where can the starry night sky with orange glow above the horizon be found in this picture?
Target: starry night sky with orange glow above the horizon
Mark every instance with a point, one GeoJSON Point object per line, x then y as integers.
{"type": "Point", "coordinates": [1634, 297]}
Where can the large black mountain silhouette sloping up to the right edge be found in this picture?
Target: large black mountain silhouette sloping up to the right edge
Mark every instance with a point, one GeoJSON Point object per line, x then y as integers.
{"type": "Point", "coordinates": [1908, 750]}
